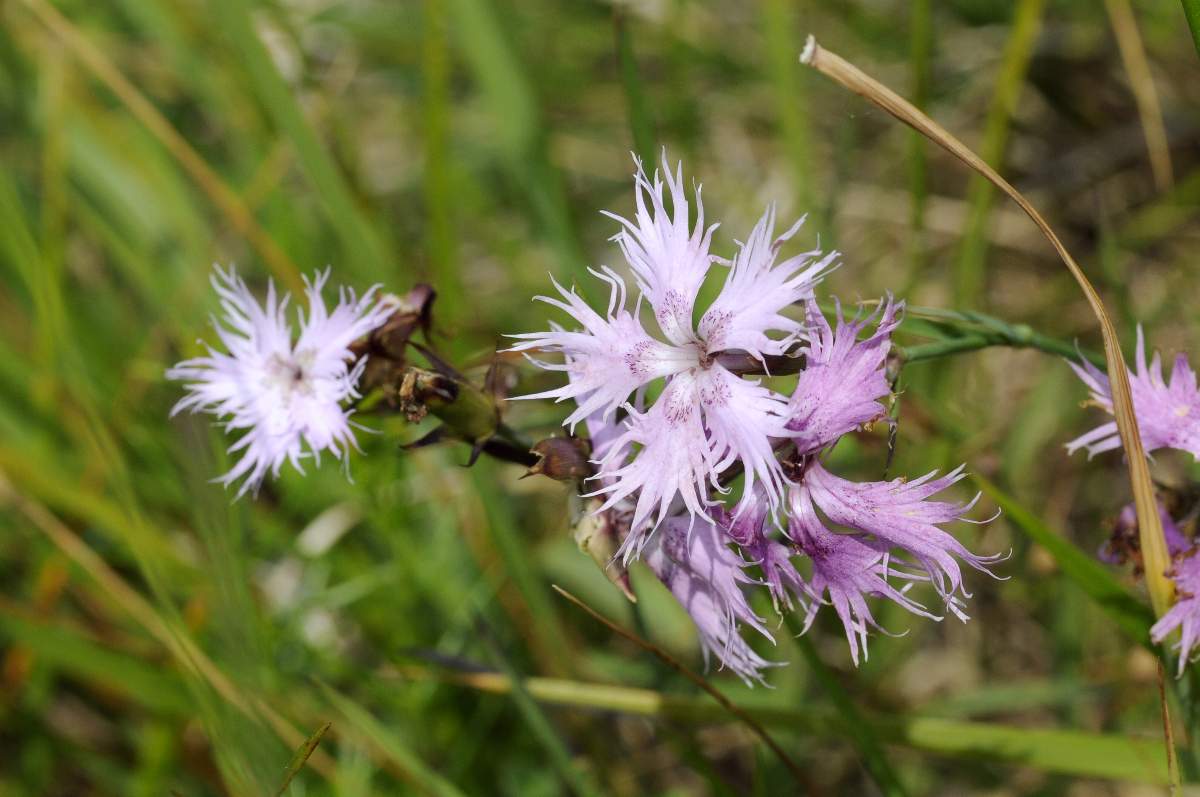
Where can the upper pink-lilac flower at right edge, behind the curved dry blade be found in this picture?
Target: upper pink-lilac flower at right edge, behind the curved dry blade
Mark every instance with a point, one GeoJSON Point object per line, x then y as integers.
{"type": "Point", "coordinates": [1168, 414]}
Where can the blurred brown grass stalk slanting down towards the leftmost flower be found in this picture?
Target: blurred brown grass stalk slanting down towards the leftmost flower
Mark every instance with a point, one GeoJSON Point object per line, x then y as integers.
{"type": "Point", "coordinates": [209, 182]}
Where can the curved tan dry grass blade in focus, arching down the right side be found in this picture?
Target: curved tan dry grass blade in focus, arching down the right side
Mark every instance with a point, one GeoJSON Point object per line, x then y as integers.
{"type": "Point", "coordinates": [1154, 546]}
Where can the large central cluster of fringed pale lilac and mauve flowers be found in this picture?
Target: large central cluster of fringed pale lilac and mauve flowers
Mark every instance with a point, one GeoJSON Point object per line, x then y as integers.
{"type": "Point", "coordinates": [663, 464]}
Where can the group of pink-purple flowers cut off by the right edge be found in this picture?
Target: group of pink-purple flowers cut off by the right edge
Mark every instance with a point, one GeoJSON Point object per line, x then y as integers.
{"type": "Point", "coordinates": [1168, 415]}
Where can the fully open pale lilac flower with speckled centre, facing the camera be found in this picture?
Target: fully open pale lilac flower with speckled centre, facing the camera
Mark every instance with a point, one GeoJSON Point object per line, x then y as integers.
{"type": "Point", "coordinates": [706, 418]}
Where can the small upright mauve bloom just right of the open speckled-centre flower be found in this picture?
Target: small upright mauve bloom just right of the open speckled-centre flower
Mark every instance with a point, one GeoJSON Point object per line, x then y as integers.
{"type": "Point", "coordinates": [844, 377]}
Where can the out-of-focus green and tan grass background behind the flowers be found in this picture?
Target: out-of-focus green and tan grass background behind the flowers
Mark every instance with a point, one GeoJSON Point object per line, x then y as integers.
{"type": "Point", "coordinates": [159, 638]}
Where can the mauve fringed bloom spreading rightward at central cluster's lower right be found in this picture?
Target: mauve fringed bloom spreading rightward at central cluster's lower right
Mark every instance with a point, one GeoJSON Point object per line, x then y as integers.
{"type": "Point", "coordinates": [898, 514]}
